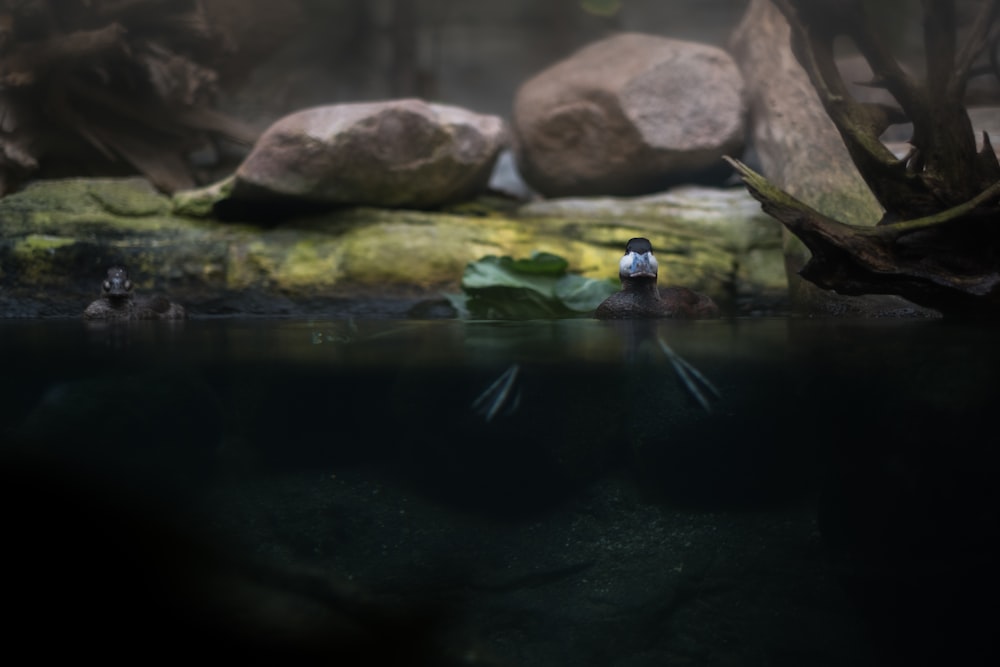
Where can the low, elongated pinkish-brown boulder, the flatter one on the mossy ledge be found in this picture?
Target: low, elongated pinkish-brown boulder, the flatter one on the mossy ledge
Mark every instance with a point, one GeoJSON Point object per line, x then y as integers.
{"type": "Point", "coordinates": [399, 153]}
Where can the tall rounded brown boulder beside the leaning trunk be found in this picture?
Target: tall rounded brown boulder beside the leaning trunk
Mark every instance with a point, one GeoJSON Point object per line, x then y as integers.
{"type": "Point", "coordinates": [629, 115]}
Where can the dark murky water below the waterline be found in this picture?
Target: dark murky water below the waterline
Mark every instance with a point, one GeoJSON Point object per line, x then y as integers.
{"type": "Point", "coordinates": [814, 493]}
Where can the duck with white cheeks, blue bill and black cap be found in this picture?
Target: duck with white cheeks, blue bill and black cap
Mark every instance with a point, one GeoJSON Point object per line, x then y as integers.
{"type": "Point", "coordinates": [639, 297]}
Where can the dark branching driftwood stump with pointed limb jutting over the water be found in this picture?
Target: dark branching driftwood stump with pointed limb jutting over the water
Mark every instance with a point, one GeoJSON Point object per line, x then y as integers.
{"type": "Point", "coordinates": [937, 242]}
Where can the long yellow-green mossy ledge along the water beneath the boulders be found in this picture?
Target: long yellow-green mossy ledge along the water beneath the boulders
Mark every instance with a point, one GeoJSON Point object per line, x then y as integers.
{"type": "Point", "coordinates": [59, 236]}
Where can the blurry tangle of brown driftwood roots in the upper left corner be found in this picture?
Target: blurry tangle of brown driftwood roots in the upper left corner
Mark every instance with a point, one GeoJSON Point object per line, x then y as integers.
{"type": "Point", "coordinates": [110, 87]}
